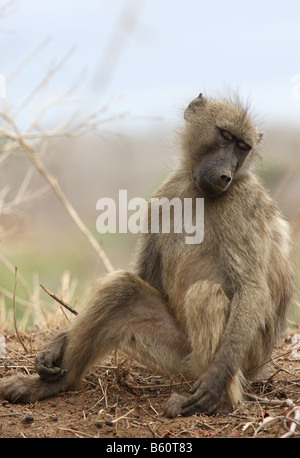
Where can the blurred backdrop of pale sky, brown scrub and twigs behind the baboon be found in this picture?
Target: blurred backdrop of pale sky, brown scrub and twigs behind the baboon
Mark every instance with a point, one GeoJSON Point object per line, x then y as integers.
{"type": "Point", "coordinates": [91, 98]}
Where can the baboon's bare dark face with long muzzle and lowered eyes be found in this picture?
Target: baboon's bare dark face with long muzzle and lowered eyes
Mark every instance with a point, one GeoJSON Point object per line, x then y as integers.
{"type": "Point", "coordinates": [217, 164]}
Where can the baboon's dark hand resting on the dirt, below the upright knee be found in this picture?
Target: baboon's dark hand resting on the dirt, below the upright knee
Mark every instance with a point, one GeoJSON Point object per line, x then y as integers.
{"type": "Point", "coordinates": [206, 398]}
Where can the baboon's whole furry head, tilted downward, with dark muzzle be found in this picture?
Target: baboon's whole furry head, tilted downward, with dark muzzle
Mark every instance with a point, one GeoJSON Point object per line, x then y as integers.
{"type": "Point", "coordinates": [217, 140]}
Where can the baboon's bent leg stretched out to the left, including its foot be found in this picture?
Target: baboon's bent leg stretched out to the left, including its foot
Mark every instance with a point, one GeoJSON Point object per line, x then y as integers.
{"type": "Point", "coordinates": [124, 312]}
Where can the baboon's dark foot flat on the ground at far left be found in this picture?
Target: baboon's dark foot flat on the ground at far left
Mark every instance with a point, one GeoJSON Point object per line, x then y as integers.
{"type": "Point", "coordinates": [27, 388]}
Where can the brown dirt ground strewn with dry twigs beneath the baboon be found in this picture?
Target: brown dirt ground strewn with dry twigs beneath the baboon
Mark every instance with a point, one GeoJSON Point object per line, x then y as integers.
{"type": "Point", "coordinates": [121, 399]}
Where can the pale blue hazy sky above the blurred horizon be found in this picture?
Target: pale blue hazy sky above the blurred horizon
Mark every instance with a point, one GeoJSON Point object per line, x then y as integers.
{"type": "Point", "coordinates": [151, 57]}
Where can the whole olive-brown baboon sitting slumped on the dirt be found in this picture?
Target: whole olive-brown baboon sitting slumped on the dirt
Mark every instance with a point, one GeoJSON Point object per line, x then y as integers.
{"type": "Point", "coordinates": [212, 311]}
